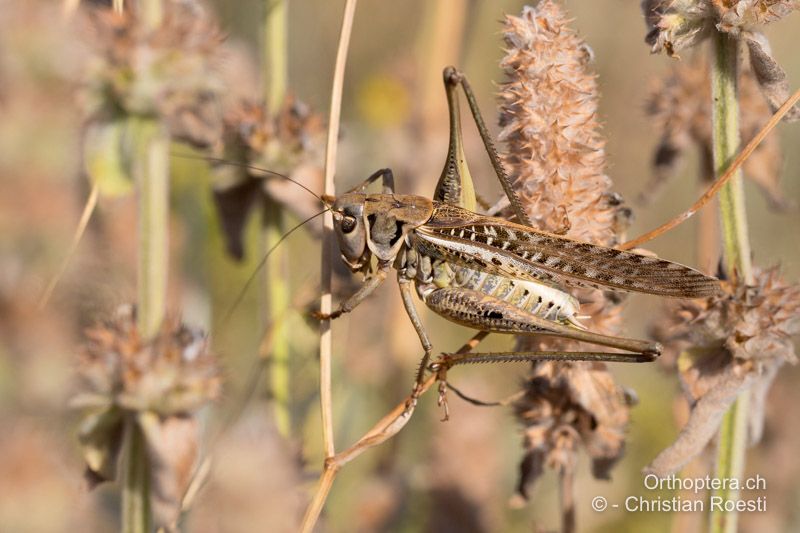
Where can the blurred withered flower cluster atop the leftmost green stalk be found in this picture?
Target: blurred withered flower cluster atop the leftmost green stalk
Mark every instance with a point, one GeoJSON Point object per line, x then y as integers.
{"type": "Point", "coordinates": [166, 72]}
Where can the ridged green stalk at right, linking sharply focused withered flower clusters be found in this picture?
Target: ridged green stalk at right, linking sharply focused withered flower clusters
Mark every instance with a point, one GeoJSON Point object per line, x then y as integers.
{"type": "Point", "coordinates": [736, 246]}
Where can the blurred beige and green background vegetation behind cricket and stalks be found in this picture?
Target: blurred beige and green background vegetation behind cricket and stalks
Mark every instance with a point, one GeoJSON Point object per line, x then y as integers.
{"type": "Point", "coordinates": [454, 476]}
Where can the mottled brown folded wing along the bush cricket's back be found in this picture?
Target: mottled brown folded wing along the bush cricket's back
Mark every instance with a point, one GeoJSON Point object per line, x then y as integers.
{"type": "Point", "coordinates": [501, 247]}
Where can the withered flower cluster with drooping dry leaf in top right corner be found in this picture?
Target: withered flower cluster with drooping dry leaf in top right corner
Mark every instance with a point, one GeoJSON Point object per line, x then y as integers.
{"type": "Point", "coordinates": [674, 25]}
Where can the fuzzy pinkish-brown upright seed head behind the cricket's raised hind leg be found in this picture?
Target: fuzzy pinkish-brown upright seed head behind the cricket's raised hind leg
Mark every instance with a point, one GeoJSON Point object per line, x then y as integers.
{"type": "Point", "coordinates": [548, 112]}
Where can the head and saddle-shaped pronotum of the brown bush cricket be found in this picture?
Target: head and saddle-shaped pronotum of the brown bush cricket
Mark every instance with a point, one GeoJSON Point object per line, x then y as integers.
{"type": "Point", "coordinates": [367, 224]}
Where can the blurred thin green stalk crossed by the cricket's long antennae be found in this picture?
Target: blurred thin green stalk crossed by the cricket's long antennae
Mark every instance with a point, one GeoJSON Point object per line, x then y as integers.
{"type": "Point", "coordinates": [275, 294]}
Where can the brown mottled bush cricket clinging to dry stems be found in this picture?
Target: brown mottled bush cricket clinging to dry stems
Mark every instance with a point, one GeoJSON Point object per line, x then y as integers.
{"type": "Point", "coordinates": [485, 272]}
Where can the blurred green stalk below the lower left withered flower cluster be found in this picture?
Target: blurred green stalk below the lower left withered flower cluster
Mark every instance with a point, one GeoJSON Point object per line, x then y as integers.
{"type": "Point", "coordinates": [136, 513]}
